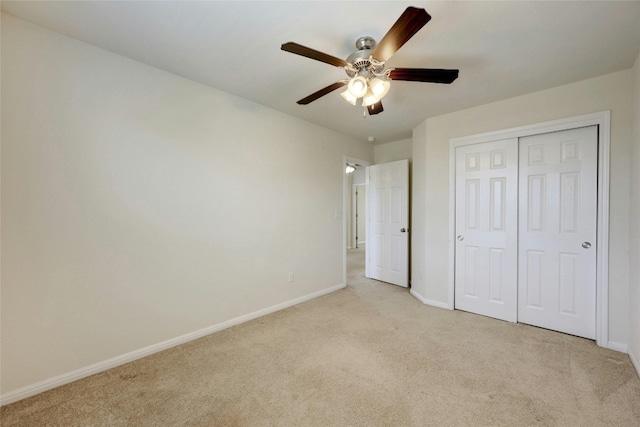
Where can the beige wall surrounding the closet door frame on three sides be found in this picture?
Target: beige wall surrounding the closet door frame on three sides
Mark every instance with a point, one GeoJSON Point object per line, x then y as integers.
{"type": "Point", "coordinates": [431, 178]}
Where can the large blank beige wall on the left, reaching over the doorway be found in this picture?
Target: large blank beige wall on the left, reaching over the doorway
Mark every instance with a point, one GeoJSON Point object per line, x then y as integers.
{"type": "Point", "coordinates": [138, 206]}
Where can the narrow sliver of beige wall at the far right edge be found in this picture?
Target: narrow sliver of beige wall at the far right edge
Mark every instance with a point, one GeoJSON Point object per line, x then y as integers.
{"type": "Point", "coordinates": [634, 247]}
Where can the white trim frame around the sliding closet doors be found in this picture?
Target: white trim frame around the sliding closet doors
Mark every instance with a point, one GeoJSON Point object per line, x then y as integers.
{"type": "Point", "coordinates": [603, 121]}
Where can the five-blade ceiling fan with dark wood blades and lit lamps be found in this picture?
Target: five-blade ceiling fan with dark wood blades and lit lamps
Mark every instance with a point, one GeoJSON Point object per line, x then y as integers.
{"type": "Point", "coordinates": [368, 77]}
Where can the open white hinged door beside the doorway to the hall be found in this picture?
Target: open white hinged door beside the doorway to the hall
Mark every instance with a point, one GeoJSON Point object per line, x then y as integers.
{"type": "Point", "coordinates": [388, 232]}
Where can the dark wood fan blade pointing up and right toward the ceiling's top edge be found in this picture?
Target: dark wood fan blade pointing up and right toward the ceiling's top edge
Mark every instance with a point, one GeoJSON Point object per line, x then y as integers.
{"type": "Point", "coordinates": [409, 23]}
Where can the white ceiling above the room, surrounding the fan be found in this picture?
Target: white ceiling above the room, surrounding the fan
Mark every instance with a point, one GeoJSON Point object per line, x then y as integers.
{"type": "Point", "coordinates": [503, 49]}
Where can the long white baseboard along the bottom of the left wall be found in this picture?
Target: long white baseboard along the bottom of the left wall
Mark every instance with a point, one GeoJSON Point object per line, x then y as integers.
{"type": "Point", "coordinates": [42, 386]}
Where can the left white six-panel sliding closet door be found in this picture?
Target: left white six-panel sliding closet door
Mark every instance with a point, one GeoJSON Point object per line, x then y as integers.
{"type": "Point", "coordinates": [486, 229]}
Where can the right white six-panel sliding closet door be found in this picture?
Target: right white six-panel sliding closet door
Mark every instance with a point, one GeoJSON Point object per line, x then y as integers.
{"type": "Point", "coordinates": [557, 248]}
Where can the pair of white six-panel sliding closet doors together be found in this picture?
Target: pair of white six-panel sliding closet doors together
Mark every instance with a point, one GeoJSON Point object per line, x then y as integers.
{"type": "Point", "coordinates": [526, 226]}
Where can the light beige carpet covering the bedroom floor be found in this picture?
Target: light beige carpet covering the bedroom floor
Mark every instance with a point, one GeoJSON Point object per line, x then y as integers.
{"type": "Point", "coordinates": [368, 355]}
